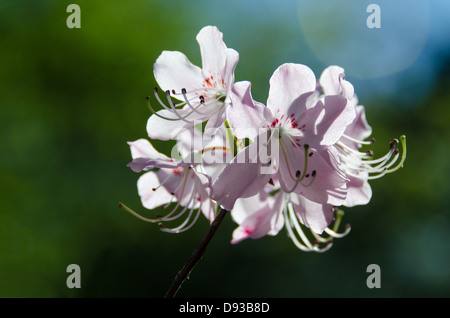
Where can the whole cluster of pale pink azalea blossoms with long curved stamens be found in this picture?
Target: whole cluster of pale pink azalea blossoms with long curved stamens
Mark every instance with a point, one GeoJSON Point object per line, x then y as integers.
{"type": "Point", "coordinates": [290, 163]}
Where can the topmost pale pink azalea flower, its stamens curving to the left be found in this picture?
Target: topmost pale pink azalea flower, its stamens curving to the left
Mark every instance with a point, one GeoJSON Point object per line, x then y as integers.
{"type": "Point", "coordinates": [203, 92]}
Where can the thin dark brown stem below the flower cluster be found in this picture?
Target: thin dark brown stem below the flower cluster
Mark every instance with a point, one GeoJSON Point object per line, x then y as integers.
{"type": "Point", "coordinates": [196, 256]}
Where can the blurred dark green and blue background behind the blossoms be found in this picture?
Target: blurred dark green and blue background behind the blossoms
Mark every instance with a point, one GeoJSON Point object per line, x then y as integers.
{"type": "Point", "coordinates": [72, 98]}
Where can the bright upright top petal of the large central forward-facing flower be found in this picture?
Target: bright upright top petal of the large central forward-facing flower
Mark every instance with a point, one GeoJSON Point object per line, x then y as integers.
{"type": "Point", "coordinates": [289, 82]}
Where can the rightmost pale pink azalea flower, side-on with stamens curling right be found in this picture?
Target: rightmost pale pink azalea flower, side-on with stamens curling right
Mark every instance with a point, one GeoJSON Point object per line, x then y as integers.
{"type": "Point", "coordinates": [359, 167]}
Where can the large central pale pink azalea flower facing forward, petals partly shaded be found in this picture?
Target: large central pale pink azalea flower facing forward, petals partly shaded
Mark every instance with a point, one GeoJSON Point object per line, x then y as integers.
{"type": "Point", "coordinates": [299, 128]}
